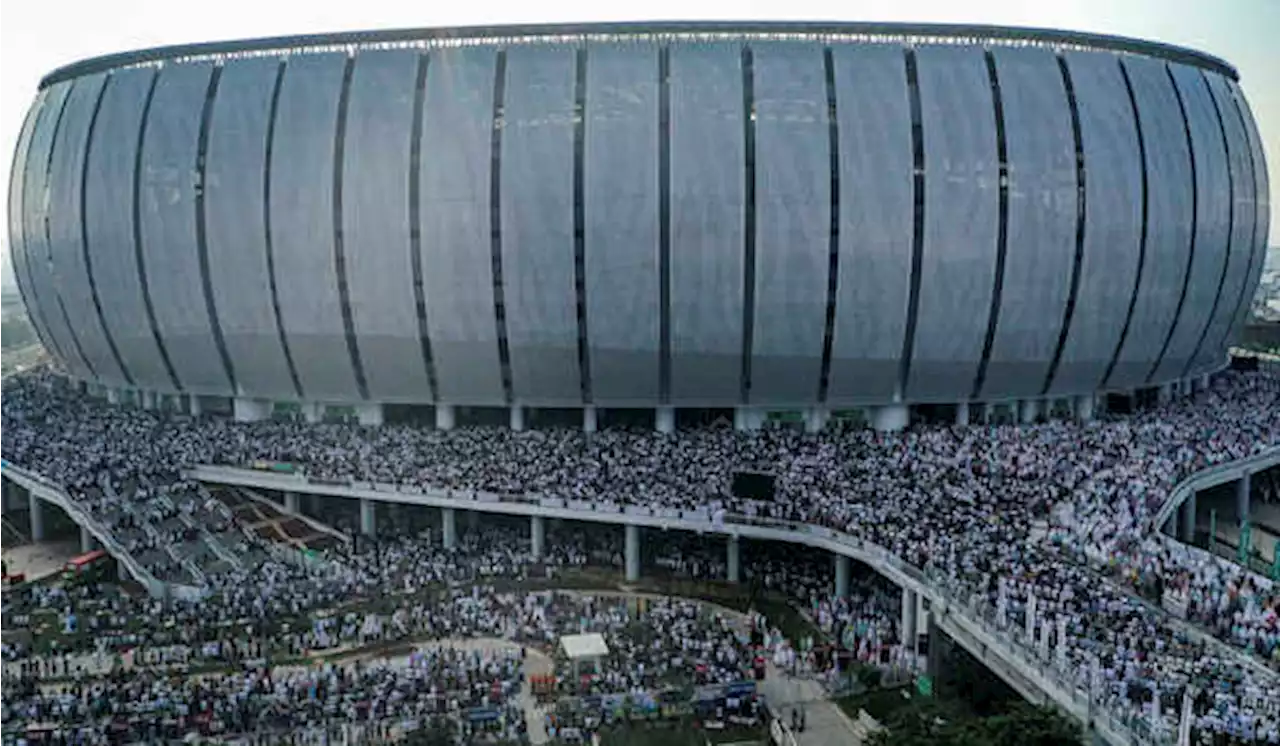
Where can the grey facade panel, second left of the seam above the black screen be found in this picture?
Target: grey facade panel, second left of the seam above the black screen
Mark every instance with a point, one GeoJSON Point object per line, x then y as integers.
{"type": "Point", "coordinates": [620, 176]}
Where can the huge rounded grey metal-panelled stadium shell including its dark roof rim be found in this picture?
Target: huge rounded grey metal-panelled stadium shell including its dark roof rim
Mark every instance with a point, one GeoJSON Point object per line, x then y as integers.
{"type": "Point", "coordinates": [762, 217]}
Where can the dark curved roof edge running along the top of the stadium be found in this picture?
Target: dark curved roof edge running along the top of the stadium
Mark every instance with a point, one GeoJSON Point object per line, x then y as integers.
{"type": "Point", "coordinates": [659, 28]}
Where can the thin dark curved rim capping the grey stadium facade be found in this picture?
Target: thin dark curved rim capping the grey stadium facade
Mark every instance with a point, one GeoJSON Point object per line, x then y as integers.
{"type": "Point", "coordinates": [643, 31]}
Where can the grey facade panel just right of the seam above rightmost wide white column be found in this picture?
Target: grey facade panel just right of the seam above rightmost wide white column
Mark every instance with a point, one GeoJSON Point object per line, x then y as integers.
{"type": "Point", "coordinates": [962, 195]}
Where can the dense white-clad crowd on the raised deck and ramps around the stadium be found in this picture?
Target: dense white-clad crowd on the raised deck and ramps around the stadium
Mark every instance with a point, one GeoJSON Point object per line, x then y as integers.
{"type": "Point", "coordinates": [1048, 528]}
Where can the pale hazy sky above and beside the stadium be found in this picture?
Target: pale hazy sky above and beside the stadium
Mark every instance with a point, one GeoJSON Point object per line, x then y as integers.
{"type": "Point", "coordinates": [38, 36]}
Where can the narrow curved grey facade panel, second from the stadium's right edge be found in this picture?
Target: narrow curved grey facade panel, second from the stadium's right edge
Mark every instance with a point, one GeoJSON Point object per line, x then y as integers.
{"type": "Point", "coordinates": [1213, 353]}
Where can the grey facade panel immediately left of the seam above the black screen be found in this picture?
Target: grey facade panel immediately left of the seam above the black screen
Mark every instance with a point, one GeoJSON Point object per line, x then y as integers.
{"type": "Point", "coordinates": [707, 204]}
